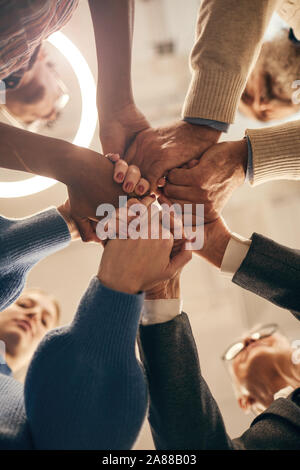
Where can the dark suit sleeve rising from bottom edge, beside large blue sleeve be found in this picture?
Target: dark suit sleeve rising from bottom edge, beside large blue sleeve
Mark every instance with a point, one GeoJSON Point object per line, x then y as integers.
{"type": "Point", "coordinates": [183, 413]}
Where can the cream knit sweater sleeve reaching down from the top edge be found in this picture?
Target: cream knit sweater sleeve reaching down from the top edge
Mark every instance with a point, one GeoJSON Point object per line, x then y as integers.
{"type": "Point", "coordinates": [229, 36]}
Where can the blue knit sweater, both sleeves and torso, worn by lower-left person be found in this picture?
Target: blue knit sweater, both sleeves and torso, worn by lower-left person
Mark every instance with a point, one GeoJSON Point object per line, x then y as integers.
{"type": "Point", "coordinates": [84, 388]}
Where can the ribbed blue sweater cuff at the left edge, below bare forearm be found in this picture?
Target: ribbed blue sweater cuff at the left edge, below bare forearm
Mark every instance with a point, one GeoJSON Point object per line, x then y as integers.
{"type": "Point", "coordinates": [31, 239]}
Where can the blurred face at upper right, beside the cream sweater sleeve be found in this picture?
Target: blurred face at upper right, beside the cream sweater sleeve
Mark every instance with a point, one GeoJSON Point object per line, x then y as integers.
{"type": "Point", "coordinates": [262, 99]}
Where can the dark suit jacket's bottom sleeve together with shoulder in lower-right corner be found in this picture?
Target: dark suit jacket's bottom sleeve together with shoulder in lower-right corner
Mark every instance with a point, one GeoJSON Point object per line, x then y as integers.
{"type": "Point", "coordinates": [183, 413]}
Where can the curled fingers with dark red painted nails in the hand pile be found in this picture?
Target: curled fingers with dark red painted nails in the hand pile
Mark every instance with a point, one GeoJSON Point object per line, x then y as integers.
{"type": "Point", "coordinates": [128, 175]}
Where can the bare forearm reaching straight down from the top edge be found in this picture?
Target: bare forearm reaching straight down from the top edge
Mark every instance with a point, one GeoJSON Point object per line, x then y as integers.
{"type": "Point", "coordinates": [113, 29]}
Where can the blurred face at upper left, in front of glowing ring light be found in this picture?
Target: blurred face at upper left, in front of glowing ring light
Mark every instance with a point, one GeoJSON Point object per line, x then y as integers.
{"type": "Point", "coordinates": [38, 96]}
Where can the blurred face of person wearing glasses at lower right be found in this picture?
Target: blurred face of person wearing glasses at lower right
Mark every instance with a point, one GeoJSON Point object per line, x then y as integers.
{"type": "Point", "coordinates": [260, 368]}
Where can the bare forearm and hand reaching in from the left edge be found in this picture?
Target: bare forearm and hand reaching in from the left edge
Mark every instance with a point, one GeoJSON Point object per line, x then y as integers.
{"type": "Point", "coordinates": [70, 164]}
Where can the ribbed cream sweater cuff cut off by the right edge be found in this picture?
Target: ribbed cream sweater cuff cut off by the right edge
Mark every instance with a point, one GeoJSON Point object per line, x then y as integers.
{"type": "Point", "coordinates": [276, 152]}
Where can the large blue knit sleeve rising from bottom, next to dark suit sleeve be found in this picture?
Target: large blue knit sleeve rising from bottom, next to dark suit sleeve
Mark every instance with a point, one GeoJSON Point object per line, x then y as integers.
{"type": "Point", "coordinates": [85, 388]}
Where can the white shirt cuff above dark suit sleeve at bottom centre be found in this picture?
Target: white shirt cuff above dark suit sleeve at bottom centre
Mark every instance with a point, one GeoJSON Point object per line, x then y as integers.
{"type": "Point", "coordinates": [160, 310]}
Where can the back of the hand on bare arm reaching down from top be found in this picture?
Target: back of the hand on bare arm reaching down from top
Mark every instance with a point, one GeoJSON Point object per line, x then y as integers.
{"type": "Point", "coordinates": [119, 128]}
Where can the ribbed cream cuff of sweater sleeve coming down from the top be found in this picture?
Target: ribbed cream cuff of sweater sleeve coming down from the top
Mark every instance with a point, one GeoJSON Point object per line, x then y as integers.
{"type": "Point", "coordinates": [213, 94]}
